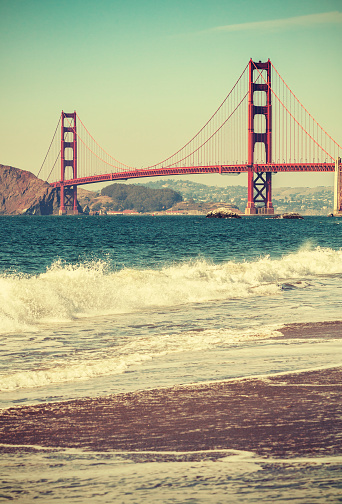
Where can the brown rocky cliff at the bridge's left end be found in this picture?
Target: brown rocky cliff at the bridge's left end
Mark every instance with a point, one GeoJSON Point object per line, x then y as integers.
{"type": "Point", "coordinates": [21, 192]}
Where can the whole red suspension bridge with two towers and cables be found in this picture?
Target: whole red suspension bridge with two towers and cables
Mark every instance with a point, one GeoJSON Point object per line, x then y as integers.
{"type": "Point", "coordinates": [260, 128]}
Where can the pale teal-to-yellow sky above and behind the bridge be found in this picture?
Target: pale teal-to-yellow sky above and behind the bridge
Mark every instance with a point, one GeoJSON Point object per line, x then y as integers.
{"type": "Point", "coordinates": [144, 76]}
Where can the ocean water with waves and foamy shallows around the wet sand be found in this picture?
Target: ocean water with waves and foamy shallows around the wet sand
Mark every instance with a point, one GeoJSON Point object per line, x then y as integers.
{"type": "Point", "coordinates": [91, 306]}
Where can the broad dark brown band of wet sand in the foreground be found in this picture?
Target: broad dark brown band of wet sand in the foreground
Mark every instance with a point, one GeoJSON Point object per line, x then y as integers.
{"type": "Point", "coordinates": [295, 414]}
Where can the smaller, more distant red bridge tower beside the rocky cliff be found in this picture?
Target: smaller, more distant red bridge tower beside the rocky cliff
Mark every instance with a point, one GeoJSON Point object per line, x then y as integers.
{"type": "Point", "coordinates": [68, 194]}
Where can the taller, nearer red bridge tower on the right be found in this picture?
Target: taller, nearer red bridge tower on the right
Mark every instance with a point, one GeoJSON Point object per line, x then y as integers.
{"type": "Point", "coordinates": [259, 183]}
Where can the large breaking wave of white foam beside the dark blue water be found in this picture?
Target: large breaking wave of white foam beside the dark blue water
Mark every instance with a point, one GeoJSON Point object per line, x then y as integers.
{"type": "Point", "coordinates": [65, 292]}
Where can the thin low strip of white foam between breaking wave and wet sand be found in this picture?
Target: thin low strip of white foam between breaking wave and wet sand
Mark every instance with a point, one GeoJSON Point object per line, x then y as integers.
{"type": "Point", "coordinates": [135, 353]}
